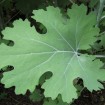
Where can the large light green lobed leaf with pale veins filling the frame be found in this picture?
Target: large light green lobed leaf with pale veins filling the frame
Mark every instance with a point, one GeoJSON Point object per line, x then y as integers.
{"type": "Point", "coordinates": [57, 51]}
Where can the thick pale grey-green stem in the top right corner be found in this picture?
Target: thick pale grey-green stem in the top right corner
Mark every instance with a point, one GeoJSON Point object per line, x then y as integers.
{"type": "Point", "coordinates": [101, 6]}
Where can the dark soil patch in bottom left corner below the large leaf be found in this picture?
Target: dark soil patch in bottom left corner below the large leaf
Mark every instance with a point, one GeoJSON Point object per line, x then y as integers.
{"type": "Point", "coordinates": [12, 99]}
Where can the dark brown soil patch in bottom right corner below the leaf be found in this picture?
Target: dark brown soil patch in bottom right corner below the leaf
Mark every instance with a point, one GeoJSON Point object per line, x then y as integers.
{"type": "Point", "coordinates": [88, 98]}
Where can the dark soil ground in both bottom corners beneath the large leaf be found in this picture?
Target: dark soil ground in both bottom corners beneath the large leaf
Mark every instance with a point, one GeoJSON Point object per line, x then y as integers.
{"type": "Point", "coordinates": [86, 98]}
